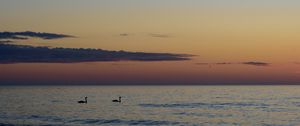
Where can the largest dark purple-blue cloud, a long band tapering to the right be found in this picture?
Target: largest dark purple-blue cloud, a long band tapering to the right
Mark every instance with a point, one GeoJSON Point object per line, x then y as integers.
{"type": "Point", "coordinates": [29, 54]}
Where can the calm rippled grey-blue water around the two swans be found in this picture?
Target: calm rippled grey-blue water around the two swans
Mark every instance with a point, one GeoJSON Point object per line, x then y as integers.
{"type": "Point", "coordinates": [151, 105]}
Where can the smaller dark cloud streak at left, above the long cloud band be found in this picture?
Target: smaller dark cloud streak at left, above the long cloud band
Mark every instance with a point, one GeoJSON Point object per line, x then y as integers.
{"type": "Point", "coordinates": [27, 34]}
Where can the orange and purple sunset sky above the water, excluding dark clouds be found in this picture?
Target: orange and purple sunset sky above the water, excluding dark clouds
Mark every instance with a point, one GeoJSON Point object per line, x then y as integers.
{"type": "Point", "coordinates": [228, 42]}
